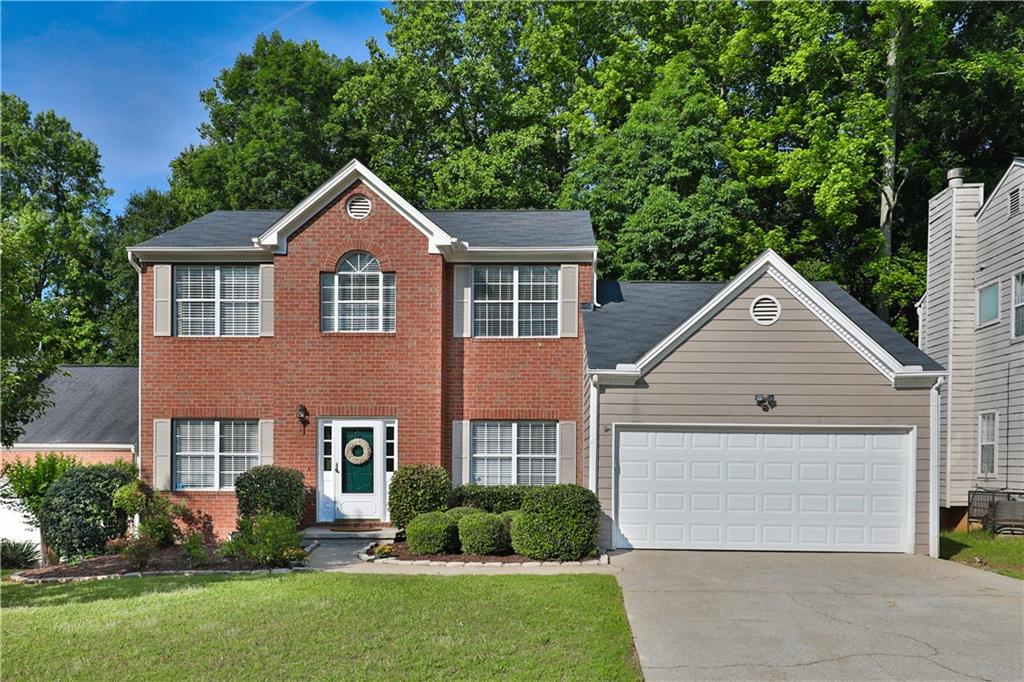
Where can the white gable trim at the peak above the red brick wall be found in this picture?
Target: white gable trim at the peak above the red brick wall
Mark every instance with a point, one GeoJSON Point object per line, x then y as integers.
{"type": "Point", "coordinates": [276, 237]}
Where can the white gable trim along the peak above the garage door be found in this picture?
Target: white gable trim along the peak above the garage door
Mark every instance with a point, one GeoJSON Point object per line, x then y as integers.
{"type": "Point", "coordinates": [774, 266]}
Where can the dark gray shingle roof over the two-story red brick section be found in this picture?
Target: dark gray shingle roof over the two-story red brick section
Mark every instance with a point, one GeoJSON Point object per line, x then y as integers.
{"type": "Point", "coordinates": [480, 229]}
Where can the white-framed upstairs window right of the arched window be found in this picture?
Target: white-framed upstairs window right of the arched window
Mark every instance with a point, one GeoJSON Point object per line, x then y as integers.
{"type": "Point", "coordinates": [510, 302]}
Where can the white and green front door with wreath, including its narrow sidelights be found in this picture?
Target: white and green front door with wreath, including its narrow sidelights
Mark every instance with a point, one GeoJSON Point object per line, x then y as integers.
{"type": "Point", "coordinates": [353, 455]}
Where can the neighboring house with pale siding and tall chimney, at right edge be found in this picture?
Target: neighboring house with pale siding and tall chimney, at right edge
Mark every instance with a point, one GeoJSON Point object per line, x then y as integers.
{"type": "Point", "coordinates": [972, 321]}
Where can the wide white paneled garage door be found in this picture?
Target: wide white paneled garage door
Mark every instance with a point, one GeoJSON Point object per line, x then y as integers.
{"type": "Point", "coordinates": [841, 491]}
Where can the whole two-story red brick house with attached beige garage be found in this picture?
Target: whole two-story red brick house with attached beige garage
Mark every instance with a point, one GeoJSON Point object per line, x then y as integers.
{"type": "Point", "coordinates": [355, 334]}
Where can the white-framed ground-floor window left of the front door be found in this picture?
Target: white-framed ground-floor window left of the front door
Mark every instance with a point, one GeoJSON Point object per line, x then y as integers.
{"type": "Point", "coordinates": [209, 455]}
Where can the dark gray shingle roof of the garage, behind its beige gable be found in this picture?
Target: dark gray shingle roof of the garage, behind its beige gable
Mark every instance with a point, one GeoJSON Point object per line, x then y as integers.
{"type": "Point", "coordinates": [635, 316]}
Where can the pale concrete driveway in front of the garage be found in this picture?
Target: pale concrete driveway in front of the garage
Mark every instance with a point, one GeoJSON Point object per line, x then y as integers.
{"type": "Point", "coordinates": [702, 616]}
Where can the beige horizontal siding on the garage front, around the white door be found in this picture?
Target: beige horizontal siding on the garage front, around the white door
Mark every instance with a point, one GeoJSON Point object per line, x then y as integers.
{"type": "Point", "coordinates": [817, 377]}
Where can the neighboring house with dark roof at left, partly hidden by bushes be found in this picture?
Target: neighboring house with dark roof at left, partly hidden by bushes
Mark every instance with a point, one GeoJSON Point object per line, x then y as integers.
{"type": "Point", "coordinates": [94, 418]}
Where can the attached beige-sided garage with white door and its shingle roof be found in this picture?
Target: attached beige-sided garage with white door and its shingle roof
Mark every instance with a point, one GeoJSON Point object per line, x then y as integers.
{"type": "Point", "coordinates": [767, 413]}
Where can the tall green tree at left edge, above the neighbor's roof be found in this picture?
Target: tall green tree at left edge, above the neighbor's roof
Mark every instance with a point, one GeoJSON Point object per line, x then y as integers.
{"type": "Point", "coordinates": [54, 209]}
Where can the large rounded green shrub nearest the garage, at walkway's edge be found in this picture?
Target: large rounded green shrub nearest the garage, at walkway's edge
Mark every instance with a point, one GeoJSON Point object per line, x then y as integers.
{"type": "Point", "coordinates": [558, 523]}
